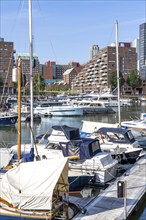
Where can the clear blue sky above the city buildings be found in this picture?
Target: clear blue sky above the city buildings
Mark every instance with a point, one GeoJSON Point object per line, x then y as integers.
{"type": "Point", "coordinates": [64, 31]}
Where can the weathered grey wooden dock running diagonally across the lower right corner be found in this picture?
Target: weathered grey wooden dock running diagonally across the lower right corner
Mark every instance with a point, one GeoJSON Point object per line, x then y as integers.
{"type": "Point", "coordinates": [107, 205]}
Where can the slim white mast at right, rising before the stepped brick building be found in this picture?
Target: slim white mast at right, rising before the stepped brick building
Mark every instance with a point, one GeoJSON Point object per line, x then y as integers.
{"type": "Point", "coordinates": [118, 77]}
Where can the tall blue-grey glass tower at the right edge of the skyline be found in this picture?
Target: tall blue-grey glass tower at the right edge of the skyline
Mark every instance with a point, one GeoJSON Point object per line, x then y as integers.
{"type": "Point", "coordinates": [142, 50]}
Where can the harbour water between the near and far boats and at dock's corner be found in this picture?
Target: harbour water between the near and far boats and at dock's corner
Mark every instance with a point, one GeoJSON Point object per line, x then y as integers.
{"type": "Point", "coordinates": [8, 135]}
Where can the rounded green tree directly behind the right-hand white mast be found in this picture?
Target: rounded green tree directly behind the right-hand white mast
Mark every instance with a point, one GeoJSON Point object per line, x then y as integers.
{"type": "Point", "coordinates": [113, 80]}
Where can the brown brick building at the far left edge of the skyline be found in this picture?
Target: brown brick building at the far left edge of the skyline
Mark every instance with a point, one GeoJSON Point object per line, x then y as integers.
{"type": "Point", "coordinates": [7, 62]}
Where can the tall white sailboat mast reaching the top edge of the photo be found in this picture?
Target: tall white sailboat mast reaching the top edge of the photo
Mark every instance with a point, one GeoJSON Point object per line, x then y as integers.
{"type": "Point", "coordinates": [31, 72]}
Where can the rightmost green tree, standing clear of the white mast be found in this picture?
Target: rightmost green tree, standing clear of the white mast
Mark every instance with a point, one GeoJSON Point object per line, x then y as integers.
{"type": "Point", "coordinates": [133, 79]}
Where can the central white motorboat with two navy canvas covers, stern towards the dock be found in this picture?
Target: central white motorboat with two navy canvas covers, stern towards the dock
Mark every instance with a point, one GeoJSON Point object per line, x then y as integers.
{"type": "Point", "coordinates": [88, 152]}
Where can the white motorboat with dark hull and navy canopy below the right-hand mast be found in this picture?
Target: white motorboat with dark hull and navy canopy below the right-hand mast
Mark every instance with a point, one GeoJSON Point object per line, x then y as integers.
{"type": "Point", "coordinates": [119, 142]}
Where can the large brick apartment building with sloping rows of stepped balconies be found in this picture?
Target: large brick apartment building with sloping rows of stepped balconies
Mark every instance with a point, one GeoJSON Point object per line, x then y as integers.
{"type": "Point", "coordinates": [95, 75]}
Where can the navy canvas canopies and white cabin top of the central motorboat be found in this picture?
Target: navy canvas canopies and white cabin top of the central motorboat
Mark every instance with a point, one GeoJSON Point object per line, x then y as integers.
{"type": "Point", "coordinates": [72, 144]}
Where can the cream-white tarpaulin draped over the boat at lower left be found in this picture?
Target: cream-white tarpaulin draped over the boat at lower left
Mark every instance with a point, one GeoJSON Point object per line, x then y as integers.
{"type": "Point", "coordinates": [30, 185]}
